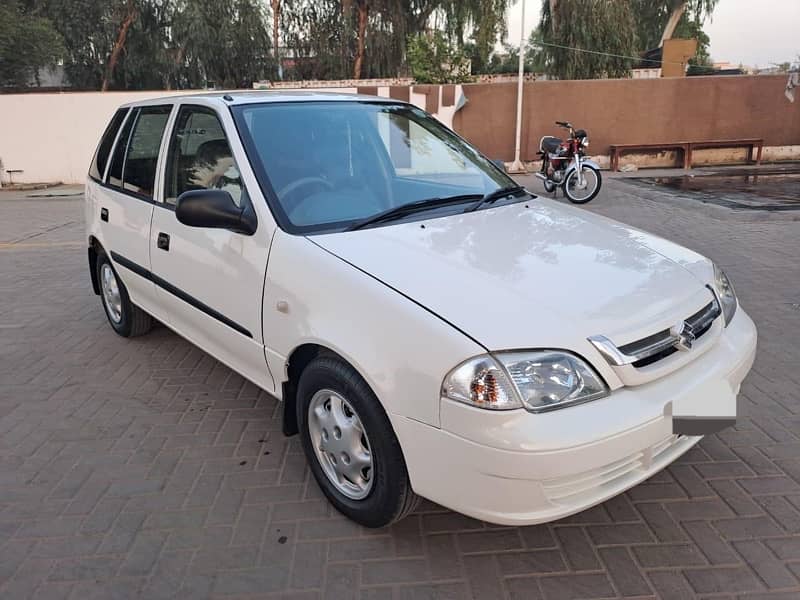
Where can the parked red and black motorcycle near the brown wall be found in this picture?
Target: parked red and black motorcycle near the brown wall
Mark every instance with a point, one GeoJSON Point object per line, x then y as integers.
{"type": "Point", "coordinates": [565, 165]}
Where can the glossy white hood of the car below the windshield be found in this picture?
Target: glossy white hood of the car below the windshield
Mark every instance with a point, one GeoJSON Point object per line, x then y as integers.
{"type": "Point", "coordinates": [539, 274]}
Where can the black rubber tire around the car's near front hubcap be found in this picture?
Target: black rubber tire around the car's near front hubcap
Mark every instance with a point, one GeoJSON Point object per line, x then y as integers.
{"type": "Point", "coordinates": [390, 497]}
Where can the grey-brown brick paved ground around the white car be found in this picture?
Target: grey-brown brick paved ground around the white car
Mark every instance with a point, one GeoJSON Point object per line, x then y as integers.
{"type": "Point", "coordinates": [145, 468]}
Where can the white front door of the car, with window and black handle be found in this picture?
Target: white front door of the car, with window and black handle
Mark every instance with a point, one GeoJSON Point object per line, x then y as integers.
{"type": "Point", "coordinates": [211, 281]}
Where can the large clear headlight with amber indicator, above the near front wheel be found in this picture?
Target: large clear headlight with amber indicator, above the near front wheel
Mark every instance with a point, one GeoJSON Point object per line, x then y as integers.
{"type": "Point", "coordinates": [537, 380]}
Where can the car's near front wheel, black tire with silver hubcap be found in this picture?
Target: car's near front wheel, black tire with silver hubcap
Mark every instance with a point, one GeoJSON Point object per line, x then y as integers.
{"type": "Point", "coordinates": [350, 445]}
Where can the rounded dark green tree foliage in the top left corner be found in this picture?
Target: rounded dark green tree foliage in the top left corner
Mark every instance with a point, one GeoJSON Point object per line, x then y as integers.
{"type": "Point", "coordinates": [27, 43]}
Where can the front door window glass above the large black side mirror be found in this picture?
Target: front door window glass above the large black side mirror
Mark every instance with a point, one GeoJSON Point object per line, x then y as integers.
{"type": "Point", "coordinates": [200, 157]}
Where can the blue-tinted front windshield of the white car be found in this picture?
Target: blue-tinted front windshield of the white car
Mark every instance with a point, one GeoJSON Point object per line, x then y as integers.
{"type": "Point", "coordinates": [334, 164]}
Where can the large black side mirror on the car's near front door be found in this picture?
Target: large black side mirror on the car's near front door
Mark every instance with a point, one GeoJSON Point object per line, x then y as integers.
{"type": "Point", "coordinates": [215, 209]}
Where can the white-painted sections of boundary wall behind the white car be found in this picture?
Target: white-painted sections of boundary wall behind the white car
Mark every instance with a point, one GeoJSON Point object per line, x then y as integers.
{"type": "Point", "coordinates": [52, 137]}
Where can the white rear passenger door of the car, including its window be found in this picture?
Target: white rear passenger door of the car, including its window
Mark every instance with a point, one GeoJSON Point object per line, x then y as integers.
{"type": "Point", "coordinates": [127, 200]}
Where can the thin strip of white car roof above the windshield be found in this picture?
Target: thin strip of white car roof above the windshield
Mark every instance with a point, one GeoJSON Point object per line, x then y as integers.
{"type": "Point", "coordinates": [231, 98]}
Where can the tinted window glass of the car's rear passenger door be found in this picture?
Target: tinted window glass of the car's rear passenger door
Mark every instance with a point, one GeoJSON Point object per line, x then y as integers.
{"type": "Point", "coordinates": [133, 167]}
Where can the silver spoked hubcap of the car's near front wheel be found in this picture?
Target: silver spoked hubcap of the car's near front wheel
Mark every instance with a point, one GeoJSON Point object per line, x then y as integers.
{"type": "Point", "coordinates": [340, 443]}
